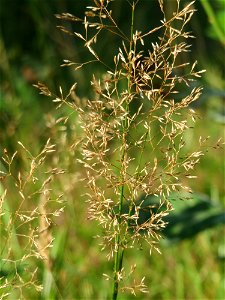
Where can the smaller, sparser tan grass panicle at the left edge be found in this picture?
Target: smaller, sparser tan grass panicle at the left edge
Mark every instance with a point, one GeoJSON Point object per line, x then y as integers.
{"type": "Point", "coordinates": [26, 236]}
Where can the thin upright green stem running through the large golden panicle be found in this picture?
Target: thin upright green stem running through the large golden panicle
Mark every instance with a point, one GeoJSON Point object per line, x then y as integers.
{"type": "Point", "coordinates": [118, 259]}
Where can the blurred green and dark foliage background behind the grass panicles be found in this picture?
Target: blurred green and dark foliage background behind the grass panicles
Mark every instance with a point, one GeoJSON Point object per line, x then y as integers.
{"type": "Point", "coordinates": [32, 49]}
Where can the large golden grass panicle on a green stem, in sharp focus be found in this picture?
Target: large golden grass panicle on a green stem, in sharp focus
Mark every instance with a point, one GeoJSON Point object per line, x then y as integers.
{"type": "Point", "coordinates": [133, 129]}
